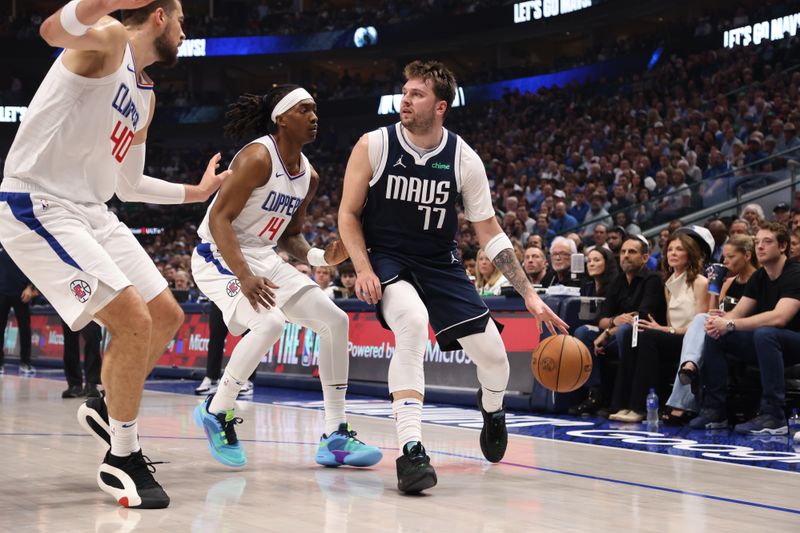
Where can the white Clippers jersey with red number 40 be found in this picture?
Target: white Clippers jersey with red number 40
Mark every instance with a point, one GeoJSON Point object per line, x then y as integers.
{"type": "Point", "coordinates": [78, 130]}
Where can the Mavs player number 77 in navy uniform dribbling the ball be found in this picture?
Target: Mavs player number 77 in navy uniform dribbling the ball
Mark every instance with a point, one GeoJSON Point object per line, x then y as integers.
{"type": "Point", "coordinates": [398, 220]}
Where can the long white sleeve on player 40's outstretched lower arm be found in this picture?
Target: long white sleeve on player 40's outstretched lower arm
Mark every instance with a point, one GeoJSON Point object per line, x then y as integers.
{"type": "Point", "coordinates": [134, 186]}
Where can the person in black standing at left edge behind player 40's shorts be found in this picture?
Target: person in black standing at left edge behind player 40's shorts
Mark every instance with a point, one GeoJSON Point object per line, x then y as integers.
{"type": "Point", "coordinates": [16, 292]}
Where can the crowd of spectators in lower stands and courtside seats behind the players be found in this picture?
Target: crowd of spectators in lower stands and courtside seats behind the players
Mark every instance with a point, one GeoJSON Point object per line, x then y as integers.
{"type": "Point", "coordinates": [585, 169]}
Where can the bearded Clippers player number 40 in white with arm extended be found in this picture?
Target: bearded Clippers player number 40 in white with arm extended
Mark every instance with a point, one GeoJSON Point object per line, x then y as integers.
{"type": "Point", "coordinates": [82, 141]}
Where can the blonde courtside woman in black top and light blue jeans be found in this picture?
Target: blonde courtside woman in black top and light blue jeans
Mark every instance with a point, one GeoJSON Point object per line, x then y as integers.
{"type": "Point", "coordinates": [738, 255]}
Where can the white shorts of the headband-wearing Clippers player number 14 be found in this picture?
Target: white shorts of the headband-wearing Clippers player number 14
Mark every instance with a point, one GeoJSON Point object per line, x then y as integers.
{"type": "Point", "coordinates": [217, 281]}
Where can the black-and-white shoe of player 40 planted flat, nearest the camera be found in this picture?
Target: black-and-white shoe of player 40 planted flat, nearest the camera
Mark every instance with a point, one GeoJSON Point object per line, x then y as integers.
{"type": "Point", "coordinates": [130, 481]}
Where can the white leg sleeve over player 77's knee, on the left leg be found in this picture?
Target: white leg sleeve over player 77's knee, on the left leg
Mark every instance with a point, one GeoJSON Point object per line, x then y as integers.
{"type": "Point", "coordinates": [405, 313]}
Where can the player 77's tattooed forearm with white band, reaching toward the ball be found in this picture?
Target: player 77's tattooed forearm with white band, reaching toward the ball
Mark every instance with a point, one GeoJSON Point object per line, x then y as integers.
{"type": "Point", "coordinates": [491, 237]}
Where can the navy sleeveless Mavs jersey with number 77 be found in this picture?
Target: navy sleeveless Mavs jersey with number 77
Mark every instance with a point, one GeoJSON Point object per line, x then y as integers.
{"type": "Point", "coordinates": [411, 203]}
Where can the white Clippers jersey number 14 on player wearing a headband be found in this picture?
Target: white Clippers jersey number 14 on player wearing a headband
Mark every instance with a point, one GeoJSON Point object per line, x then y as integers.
{"type": "Point", "coordinates": [270, 207]}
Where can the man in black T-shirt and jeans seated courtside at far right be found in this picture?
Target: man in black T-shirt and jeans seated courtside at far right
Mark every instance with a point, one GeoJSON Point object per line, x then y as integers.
{"type": "Point", "coordinates": [764, 327]}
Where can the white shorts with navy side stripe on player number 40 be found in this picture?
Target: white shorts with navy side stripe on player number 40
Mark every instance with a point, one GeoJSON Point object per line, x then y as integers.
{"type": "Point", "coordinates": [79, 256]}
